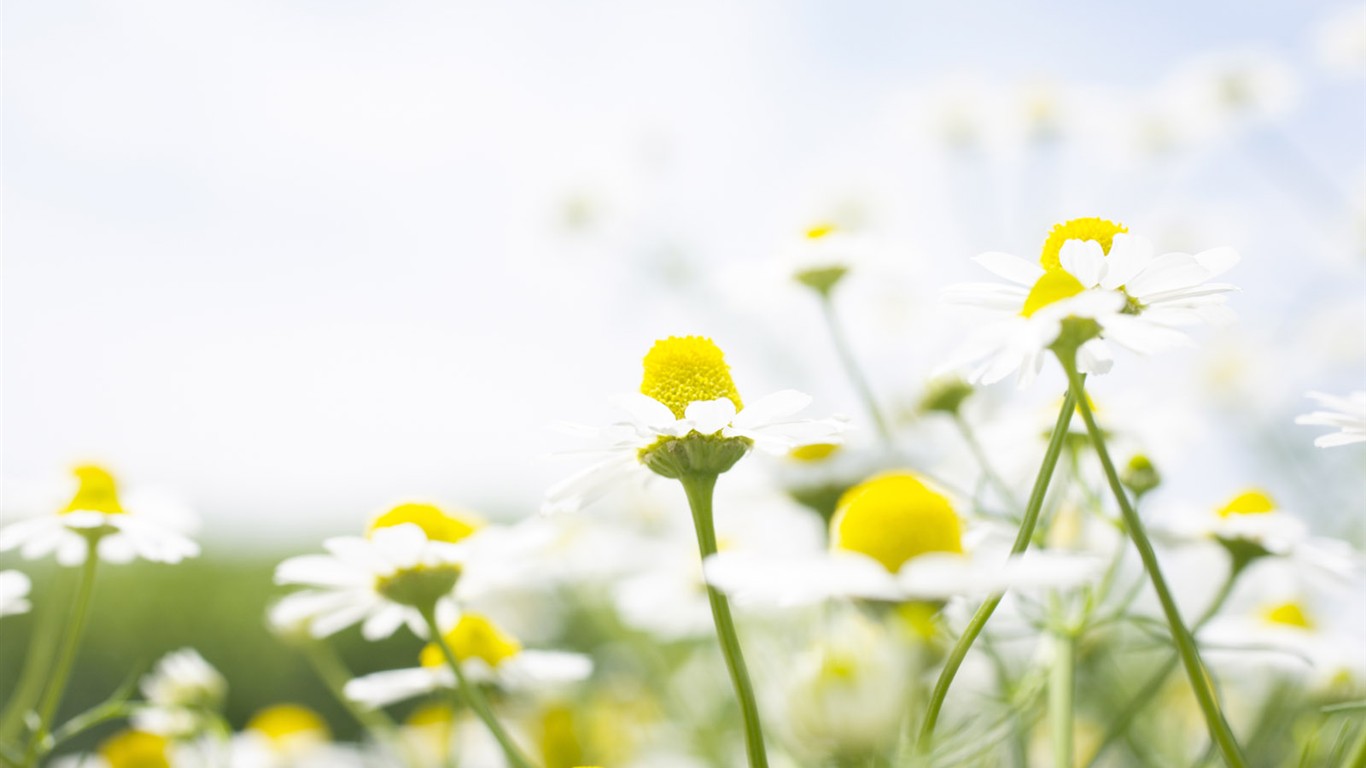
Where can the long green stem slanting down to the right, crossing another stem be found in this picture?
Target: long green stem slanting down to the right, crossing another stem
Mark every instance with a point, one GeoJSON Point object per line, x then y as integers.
{"type": "Point", "coordinates": [1219, 730]}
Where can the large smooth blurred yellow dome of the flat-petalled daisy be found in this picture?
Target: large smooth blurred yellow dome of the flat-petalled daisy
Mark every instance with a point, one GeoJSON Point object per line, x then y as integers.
{"type": "Point", "coordinates": [893, 519]}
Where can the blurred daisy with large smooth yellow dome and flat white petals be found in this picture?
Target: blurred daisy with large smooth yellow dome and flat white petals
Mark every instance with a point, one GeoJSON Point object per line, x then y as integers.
{"type": "Point", "coordinates": [893, 539]}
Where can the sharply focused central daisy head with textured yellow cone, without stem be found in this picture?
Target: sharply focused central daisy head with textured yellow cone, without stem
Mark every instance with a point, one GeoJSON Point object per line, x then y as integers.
{"type": "Point", "coordinates": [688, 401]}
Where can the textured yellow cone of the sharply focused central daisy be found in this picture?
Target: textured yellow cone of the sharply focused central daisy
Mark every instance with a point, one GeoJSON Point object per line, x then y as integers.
{"type": "Point", "coordinates": [686, 370]}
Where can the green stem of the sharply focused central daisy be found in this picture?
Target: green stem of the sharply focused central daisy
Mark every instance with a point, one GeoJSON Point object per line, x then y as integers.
{"type": "Point", "coordinates": [700, 489]}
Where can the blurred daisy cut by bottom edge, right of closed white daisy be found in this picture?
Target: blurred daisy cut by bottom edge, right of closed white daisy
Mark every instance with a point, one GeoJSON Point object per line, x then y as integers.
{"type": "Point", "coordinates": [290, 736]}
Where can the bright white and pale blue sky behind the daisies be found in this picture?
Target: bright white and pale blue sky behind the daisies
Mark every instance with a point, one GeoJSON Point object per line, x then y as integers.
{"type": "Point", "coordinates": [298, 260]}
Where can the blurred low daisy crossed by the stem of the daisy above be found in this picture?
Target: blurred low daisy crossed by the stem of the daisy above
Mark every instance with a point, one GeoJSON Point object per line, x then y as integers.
{"type": "Point", "coordinates": [487, 654]}
